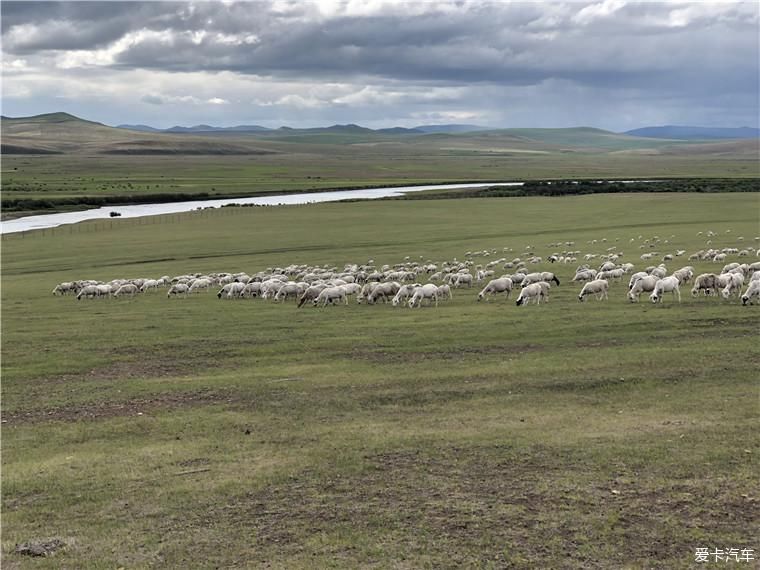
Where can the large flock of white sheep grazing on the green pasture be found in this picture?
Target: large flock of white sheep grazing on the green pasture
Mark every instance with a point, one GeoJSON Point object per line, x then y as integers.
{"type": "Point", "coordinates": [401, 284]}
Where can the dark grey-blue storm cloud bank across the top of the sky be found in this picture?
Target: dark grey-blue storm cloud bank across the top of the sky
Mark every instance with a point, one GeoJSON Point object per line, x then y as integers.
{"type": "Point", "coordinates": [501, 43]}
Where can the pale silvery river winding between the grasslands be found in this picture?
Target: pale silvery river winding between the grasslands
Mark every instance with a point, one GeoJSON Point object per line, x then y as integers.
{"type": "Point", "coordinates": [45, 221]}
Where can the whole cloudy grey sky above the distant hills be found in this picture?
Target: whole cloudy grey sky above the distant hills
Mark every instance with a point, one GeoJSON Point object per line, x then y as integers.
{"type": "Point", "coordinates": [609, 64]}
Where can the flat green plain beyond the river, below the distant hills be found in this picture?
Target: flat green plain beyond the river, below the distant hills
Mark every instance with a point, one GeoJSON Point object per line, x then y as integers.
{"type": "Point", "coordinates": [65, 176]}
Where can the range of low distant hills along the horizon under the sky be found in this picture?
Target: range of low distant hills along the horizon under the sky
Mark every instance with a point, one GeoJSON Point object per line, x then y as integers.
{"type": "Point", "coordinates": [65, 133]}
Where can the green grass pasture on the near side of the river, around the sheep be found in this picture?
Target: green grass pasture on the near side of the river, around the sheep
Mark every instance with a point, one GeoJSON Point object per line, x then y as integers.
{"type": "Point", "coordinates": [177, 433]}
